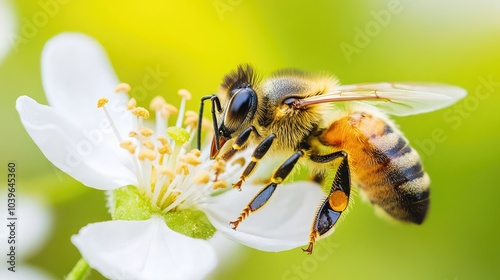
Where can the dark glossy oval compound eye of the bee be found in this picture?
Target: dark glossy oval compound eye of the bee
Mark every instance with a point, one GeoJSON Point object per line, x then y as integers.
{"type": "Point", "coordinates": [241, 108]}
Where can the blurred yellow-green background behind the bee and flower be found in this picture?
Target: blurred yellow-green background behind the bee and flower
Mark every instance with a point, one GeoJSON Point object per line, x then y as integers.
{"type": "Point", "coordinates": [197, 42]}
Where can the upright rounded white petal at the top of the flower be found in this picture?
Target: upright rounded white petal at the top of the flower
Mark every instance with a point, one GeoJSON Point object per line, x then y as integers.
{"type": "Point", "coordinates": [76, 73]}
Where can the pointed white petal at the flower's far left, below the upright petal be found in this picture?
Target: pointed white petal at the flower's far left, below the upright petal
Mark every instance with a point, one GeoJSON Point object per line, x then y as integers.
{"type": "Point", "coordinates": [71, 149]}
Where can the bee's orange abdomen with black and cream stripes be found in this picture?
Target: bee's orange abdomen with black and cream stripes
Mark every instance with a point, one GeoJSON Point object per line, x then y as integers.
{"type": "Point", "coordinates": [383, 165]}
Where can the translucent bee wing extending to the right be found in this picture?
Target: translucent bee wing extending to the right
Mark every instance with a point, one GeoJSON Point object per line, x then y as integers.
{"type": "Point", "coordinates": [400, 99]}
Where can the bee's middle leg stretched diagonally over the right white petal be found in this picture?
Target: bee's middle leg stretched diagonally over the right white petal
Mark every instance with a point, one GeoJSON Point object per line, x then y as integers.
{"type": "Point", "coordinates": [265, 194]}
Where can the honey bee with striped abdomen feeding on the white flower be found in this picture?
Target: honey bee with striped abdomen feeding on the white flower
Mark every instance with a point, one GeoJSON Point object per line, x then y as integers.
{"type": "Point", "coordinates": [341, 133]}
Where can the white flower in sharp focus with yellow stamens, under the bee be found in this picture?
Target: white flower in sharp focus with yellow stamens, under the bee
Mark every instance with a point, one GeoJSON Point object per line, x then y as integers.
{"type": "Point", "coordinates": [96, 146]}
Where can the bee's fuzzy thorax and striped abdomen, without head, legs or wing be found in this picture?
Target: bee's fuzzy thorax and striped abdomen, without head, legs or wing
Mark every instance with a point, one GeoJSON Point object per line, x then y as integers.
{"type": "Point", "coordinates": [383, 165]}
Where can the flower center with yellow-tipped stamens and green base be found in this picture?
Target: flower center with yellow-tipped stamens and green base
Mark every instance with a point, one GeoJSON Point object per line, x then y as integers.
{"type": "Point", "coordinates": [172, 179]}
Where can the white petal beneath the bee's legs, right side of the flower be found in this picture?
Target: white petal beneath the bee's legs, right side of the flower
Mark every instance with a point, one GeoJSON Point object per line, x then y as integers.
{"type": "Point", "coordinates": [282, 224]}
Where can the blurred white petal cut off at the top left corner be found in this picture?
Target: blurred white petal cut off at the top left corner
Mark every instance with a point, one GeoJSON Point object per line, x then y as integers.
{"type": "Point", "coordinates": [7, 28]}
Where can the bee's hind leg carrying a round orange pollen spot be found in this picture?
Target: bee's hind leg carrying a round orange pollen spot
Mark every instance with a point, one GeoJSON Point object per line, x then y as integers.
{"type": "Point", "coordinates": [337, 200]}
